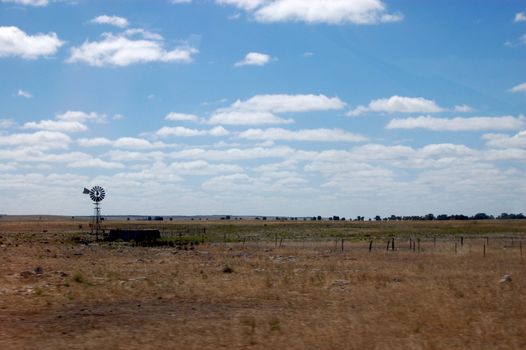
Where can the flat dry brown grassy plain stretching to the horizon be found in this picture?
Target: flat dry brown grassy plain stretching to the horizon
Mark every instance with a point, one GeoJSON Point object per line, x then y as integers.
{"type": "Point", "coordinates": [261, 285]}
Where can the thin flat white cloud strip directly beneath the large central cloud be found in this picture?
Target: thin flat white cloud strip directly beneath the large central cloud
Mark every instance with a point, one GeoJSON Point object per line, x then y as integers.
{"type": "Point", "coordinates": [325, 135]}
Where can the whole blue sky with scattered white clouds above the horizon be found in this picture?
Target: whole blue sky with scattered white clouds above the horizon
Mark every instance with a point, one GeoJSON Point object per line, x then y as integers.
{"type": "Point", "coordinates": [263, 107]}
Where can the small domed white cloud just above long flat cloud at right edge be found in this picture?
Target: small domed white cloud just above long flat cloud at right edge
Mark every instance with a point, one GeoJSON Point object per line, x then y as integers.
{"type": "Point", "coordinates": [398, 104]}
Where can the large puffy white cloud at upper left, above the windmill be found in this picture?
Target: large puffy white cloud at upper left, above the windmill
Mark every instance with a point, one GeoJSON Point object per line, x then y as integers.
{"type": "Point", "coordinates": [119, 50]}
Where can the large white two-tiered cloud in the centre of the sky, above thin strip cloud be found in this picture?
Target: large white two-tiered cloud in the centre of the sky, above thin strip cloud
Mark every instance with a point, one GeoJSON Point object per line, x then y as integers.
{"type": "Point", "coordinates": [261, 109]}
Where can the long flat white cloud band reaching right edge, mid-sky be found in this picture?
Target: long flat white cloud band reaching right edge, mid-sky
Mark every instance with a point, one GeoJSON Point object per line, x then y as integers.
{"type": "Point", "coordinates": [459, 124]}
